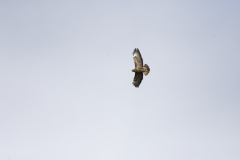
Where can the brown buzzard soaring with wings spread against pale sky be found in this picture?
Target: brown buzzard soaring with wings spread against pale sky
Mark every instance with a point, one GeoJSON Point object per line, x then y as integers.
{"type": "Point", "coordinates": [139, 68]}
